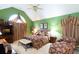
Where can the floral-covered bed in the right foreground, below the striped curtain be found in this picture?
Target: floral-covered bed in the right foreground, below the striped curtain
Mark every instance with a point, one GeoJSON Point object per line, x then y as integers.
{"type": "Point", "coordinates": [64, 46]}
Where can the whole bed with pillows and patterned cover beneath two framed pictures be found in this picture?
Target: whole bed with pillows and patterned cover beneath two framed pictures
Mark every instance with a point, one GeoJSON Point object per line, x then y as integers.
{"type": "Point", "coordinates": [39, 39]}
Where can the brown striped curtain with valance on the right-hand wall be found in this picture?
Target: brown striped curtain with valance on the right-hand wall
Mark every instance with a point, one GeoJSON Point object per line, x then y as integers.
{"type": "Point", "coordinates": [70, 27]}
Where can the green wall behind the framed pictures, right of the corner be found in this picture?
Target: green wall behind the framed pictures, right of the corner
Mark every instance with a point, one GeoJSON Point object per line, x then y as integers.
{"type": "Point", "coordinates": [54, 22]}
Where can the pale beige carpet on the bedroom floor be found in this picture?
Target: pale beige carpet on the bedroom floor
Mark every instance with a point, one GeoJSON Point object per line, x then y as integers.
{"type": "Point", "coordinates": [21, 50]}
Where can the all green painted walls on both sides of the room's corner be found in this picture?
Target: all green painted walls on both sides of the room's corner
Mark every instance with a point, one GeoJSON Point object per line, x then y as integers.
{"type": "Point", "coordinates": [53, 22]}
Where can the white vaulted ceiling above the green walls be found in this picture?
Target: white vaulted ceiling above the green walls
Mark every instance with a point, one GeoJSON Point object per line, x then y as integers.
{"type": "Point", "coordinates": [47, 11]}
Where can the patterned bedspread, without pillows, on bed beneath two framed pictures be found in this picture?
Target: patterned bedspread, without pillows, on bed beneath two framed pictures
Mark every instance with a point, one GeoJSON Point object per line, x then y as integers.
{"type": "Point", "coordinates": [38, 40]}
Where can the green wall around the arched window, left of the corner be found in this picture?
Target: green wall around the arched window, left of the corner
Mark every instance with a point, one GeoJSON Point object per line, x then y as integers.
{"type": "Point", "coordinates": [6, 13]}
